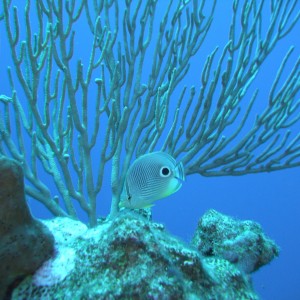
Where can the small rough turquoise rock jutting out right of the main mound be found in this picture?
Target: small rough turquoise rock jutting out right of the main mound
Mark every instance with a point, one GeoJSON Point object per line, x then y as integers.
{"type": "Point", "coordinates": [242, 243]}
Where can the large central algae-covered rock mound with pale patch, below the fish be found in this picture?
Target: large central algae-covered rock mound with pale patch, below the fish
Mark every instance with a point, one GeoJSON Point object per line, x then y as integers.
{"type": "Point", "coordinates": [131, 257]}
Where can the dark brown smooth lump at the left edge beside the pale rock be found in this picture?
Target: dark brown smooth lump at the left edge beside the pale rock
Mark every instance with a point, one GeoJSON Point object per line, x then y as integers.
{"type": "Point", "coordinates": [25, 243]}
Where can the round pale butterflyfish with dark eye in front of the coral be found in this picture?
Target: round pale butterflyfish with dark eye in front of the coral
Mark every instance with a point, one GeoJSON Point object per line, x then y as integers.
{"type": "Point", "coordinates": [151, 177]}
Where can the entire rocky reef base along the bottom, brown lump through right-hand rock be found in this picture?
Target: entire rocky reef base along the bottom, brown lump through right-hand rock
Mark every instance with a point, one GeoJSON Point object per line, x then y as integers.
{"type": "Point", "coordinates": [127, 257]}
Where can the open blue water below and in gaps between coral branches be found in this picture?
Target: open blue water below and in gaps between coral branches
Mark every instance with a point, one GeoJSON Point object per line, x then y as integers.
{"type": "Point", "coordinates": [272, 199]}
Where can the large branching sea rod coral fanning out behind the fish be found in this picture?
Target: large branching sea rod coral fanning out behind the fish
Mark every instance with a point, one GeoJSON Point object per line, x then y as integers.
{"type": "Point", "coordinates": [91, 85]}
